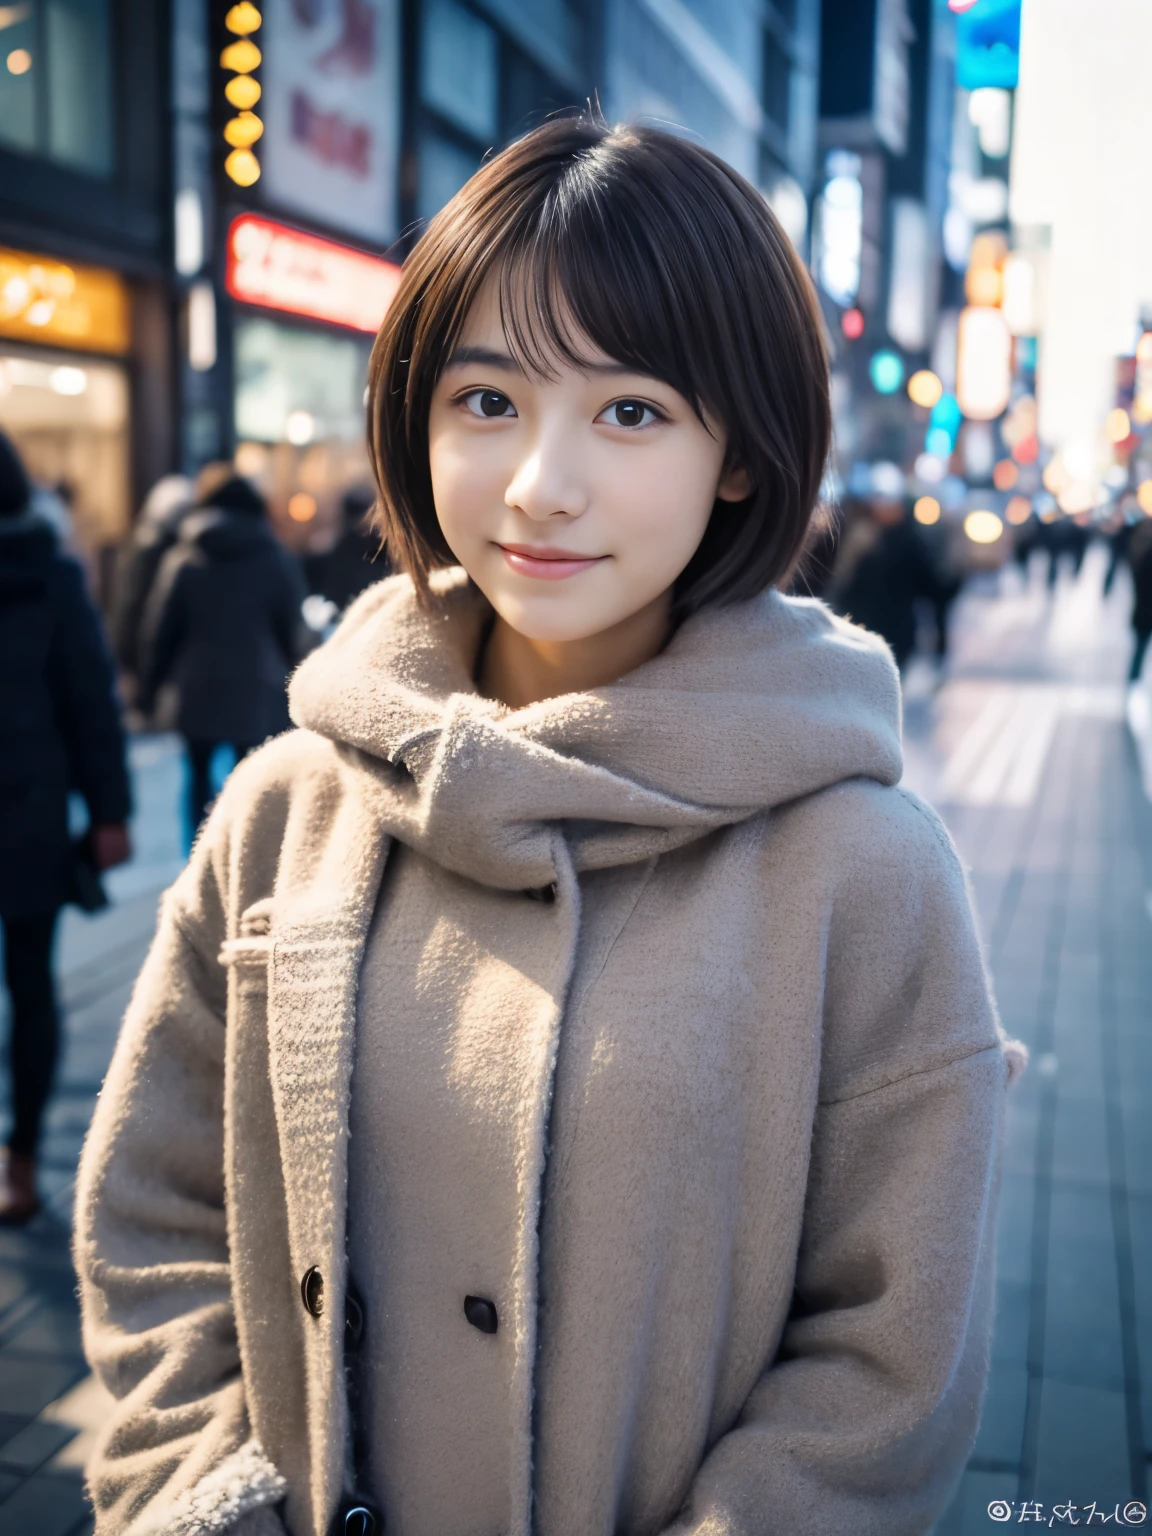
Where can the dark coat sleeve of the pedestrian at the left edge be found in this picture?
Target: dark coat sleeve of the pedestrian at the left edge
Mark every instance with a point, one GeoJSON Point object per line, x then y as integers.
{"type": "Point", "coordinates": [88, 709]}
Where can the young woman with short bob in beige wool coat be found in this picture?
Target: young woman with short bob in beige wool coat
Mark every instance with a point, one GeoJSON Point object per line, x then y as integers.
{"type": "Point", "coordinates": [564, 1090]}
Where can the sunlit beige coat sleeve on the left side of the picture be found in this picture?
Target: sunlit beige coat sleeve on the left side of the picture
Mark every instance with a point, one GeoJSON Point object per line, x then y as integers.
{"type": "Point", "coordinates": [177, 1455]}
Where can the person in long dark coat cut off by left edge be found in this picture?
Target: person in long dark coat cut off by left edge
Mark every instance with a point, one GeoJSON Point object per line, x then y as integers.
{"type": "Point", "coordinates": [61, 730]}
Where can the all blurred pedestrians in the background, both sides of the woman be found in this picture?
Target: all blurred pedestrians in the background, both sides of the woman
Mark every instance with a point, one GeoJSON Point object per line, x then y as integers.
{"type": "Point", "coordinates": [211, 614]}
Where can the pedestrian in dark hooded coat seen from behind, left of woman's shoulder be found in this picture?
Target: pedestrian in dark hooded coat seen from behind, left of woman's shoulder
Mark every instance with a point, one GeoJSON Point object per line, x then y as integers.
{"type": "Point", "coordinates": [225, 629]}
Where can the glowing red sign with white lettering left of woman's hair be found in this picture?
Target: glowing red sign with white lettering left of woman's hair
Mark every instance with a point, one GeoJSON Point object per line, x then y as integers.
{"type": "Point", "coordinates": [282, 268]}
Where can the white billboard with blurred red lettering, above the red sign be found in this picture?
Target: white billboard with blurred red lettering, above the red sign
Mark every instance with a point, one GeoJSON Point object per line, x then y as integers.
{"type": "Point", "coordinates": [331, 108]}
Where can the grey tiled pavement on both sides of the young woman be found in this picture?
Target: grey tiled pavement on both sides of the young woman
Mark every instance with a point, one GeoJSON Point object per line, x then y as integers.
{"type": "Point", "coordinates": [1027, 753]}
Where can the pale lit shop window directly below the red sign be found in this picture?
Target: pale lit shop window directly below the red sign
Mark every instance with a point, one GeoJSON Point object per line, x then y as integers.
{"type": "Point", "coordinates": [299, 386]}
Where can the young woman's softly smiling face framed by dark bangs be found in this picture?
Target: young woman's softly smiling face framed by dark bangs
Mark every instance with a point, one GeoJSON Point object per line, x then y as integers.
{"type": "Point", "coordinates": [572, 502]}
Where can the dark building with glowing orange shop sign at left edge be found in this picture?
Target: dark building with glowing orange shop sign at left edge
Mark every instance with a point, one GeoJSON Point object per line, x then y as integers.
{"type": "Point", "coordinates": [85, 323]}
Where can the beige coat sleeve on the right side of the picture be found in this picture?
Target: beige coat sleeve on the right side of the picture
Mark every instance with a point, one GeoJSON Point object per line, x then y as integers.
{"type": "Point", "coordinates": [866, 1417]}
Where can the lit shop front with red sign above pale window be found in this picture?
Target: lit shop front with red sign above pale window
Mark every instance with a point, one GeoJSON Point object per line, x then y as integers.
{"type": "Point", "coordinates": [300, 346]}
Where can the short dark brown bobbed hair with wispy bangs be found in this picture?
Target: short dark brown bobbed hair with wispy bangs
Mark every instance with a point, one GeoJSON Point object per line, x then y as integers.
{"type": "Point", "coordinates": [666, 260]}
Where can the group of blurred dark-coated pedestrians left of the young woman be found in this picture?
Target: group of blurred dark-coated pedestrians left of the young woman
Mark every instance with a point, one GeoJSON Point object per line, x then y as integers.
{"type": "Point", "coordinates": [210, 617]}
